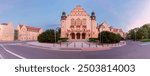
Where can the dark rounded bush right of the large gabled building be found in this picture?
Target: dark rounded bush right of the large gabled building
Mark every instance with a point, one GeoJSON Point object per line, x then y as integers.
{"type": "Point", "coordinates": [109, 37]}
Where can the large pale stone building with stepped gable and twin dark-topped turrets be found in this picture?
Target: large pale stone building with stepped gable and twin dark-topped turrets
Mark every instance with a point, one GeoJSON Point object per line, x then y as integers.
{"type": "Point", "coordinates": [78, 25]}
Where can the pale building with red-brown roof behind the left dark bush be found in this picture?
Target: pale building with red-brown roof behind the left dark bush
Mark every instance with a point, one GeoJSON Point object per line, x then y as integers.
{"type": "Point", "coordinates": [28, 32]}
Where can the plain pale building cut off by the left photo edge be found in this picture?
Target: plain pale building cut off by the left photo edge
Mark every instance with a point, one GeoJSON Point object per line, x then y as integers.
{"type": "Point", "coordinates": [6, 32]}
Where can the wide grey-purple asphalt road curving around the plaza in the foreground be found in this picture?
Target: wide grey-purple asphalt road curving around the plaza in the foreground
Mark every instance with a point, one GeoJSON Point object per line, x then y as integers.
{"type": "Point", "coordinates": [133, 50]}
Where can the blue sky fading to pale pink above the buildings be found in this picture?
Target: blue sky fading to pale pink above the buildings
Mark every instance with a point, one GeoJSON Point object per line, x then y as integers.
{"type": "Point", "coordinates": [125, 14]}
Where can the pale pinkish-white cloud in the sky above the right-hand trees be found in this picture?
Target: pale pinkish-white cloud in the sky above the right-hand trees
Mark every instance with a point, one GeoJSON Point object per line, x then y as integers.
{"type": "Point", "coordinates": [142, 16]}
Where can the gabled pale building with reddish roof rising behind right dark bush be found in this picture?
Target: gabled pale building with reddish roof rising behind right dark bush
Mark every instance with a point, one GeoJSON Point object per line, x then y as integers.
{"type": "Point", "coordinates": [105, 27]}
